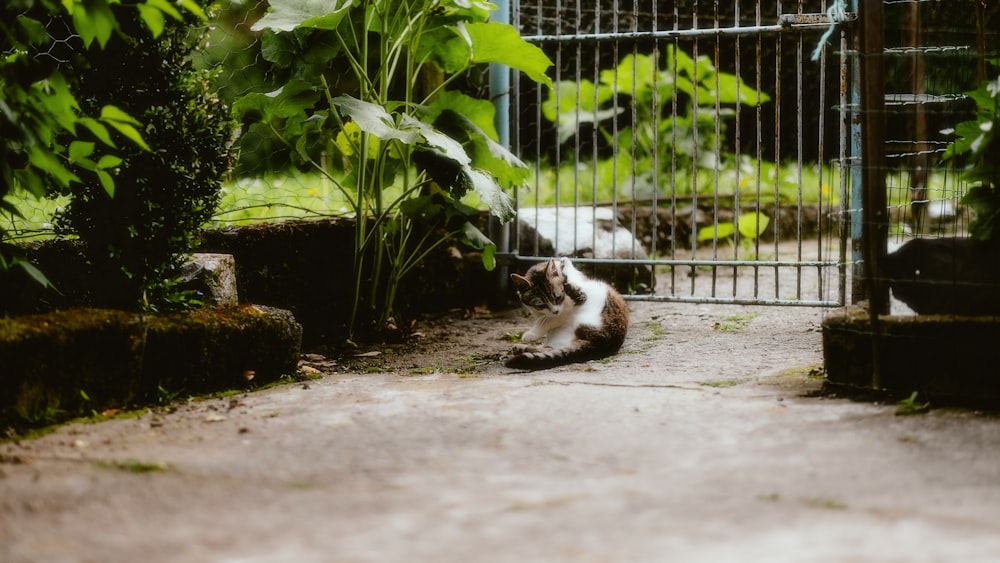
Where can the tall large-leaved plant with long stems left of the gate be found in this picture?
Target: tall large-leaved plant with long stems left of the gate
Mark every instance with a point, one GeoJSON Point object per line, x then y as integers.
{"type": "Point", "coordinates": [363, 100]}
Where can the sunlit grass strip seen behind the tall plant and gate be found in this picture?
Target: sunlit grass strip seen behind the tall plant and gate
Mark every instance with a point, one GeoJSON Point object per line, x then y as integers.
{"type": "Point", "coordinates": [293, 194]}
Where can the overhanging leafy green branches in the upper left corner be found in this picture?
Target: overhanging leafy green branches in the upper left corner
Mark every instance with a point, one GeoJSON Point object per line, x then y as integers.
{"type": "Point", "coordinates": [46, 141]}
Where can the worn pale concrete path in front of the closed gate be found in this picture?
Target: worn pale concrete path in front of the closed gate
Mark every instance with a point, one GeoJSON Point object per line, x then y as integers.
{"type": "Point", "coordinates": [703, 440]}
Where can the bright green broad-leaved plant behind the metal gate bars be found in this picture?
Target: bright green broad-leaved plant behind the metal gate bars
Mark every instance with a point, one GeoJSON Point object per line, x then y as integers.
{"type": "Point", "coordinates": [658, 135]}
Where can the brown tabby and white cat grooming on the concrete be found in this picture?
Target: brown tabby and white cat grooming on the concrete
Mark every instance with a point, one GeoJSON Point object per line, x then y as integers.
{"type": "Point", "coordinates": [575, 318]}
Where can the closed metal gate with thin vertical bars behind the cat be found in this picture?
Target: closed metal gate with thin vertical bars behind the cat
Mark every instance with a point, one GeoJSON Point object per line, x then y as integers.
{"type": "Point", "coordinates": [690, 151]}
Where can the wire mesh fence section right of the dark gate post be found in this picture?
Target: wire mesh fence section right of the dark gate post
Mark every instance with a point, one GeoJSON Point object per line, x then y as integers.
{"type": "Point", "coordinates": [935, 56]}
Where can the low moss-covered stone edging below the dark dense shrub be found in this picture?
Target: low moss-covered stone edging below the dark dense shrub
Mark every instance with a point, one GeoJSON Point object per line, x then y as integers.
{"type": "Point", "coordinates": [59, 365]}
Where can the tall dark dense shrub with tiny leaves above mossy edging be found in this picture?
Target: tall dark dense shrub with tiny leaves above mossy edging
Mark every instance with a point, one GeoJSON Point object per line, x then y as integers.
{"type": "Point", "coordinates": [143, 214]}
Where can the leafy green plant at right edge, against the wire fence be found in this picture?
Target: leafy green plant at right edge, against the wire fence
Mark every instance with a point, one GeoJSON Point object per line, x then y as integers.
{"type": "Point", "coordinates": [977, 140]}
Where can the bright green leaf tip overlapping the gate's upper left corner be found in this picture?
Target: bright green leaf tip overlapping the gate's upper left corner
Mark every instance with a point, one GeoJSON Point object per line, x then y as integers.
{"type": "Point", "coordinates": [494, 42]}
